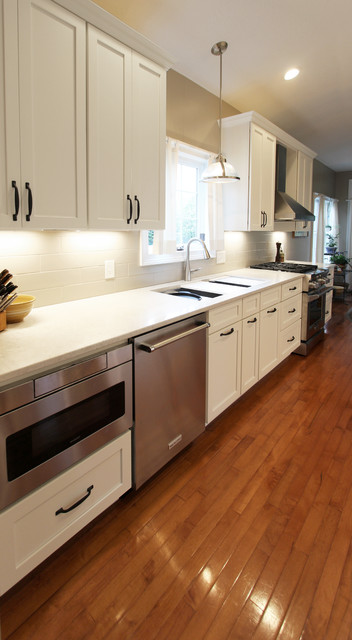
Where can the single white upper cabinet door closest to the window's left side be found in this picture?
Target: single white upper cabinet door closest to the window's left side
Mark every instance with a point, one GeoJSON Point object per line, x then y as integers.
{"type": "Point", "coordinates": [146, 154]}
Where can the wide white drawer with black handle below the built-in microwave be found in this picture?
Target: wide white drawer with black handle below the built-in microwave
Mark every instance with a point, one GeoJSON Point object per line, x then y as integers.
{"type": "Point", "coordinates": [32, 528]}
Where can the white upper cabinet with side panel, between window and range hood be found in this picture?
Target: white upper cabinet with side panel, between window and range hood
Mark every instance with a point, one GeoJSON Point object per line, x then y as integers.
{"type": "Point", "coordinates": [249, 203]}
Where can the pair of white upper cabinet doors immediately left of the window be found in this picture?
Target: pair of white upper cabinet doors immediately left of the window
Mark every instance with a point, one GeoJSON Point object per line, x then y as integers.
{"type": "Point", "coordinates": [126, 137]}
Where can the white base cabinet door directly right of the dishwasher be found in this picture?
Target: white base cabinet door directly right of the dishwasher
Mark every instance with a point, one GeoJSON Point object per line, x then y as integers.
{"type": "Point", "coordinates": [224, 369]}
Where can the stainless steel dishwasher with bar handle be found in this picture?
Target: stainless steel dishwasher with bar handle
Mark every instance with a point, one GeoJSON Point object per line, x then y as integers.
{"type": "Point", "coordinates": [169, 375]}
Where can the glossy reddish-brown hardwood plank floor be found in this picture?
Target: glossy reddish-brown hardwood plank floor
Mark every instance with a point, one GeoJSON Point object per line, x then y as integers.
{"type": "Point", "coordinates": [247, 534]}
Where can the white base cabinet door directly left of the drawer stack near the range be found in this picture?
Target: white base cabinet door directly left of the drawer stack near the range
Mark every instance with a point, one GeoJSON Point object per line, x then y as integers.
{"type": "Point", "coordinates": [268, 340]}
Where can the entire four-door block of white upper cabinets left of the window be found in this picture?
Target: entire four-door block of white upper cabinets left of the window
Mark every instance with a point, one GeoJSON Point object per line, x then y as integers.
{"type": "Point", "coordinates": [44, 99]}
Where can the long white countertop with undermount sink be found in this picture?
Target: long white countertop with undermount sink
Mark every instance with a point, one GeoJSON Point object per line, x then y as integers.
{"type": "Point", "coordinates": [57, 335]}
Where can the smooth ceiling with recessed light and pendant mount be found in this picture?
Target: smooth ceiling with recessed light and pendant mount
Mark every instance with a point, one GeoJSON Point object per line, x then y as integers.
{"type": "Point", "coordinates": [265, 37]}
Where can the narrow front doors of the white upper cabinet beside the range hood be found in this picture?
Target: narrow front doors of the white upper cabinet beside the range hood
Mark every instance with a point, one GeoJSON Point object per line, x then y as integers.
{"type": "Point", "coordinates": [262, 179]}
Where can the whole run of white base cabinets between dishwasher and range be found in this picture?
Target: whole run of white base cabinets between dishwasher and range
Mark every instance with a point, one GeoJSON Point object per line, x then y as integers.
{"type": "Point", "coordinates": [248, 339]}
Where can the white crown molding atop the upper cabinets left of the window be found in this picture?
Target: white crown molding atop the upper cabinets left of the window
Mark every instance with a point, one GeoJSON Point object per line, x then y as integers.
{"type": "Point", "coordinates": [95, 15]}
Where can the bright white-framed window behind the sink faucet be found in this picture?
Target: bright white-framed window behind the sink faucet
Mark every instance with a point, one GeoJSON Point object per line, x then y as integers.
{"type": "Point", "coordinates": [193, 209]}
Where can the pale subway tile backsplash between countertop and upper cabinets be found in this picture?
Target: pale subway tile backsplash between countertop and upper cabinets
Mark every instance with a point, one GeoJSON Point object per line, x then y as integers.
{"type": "Point", "coordinates": [58, 266]}
